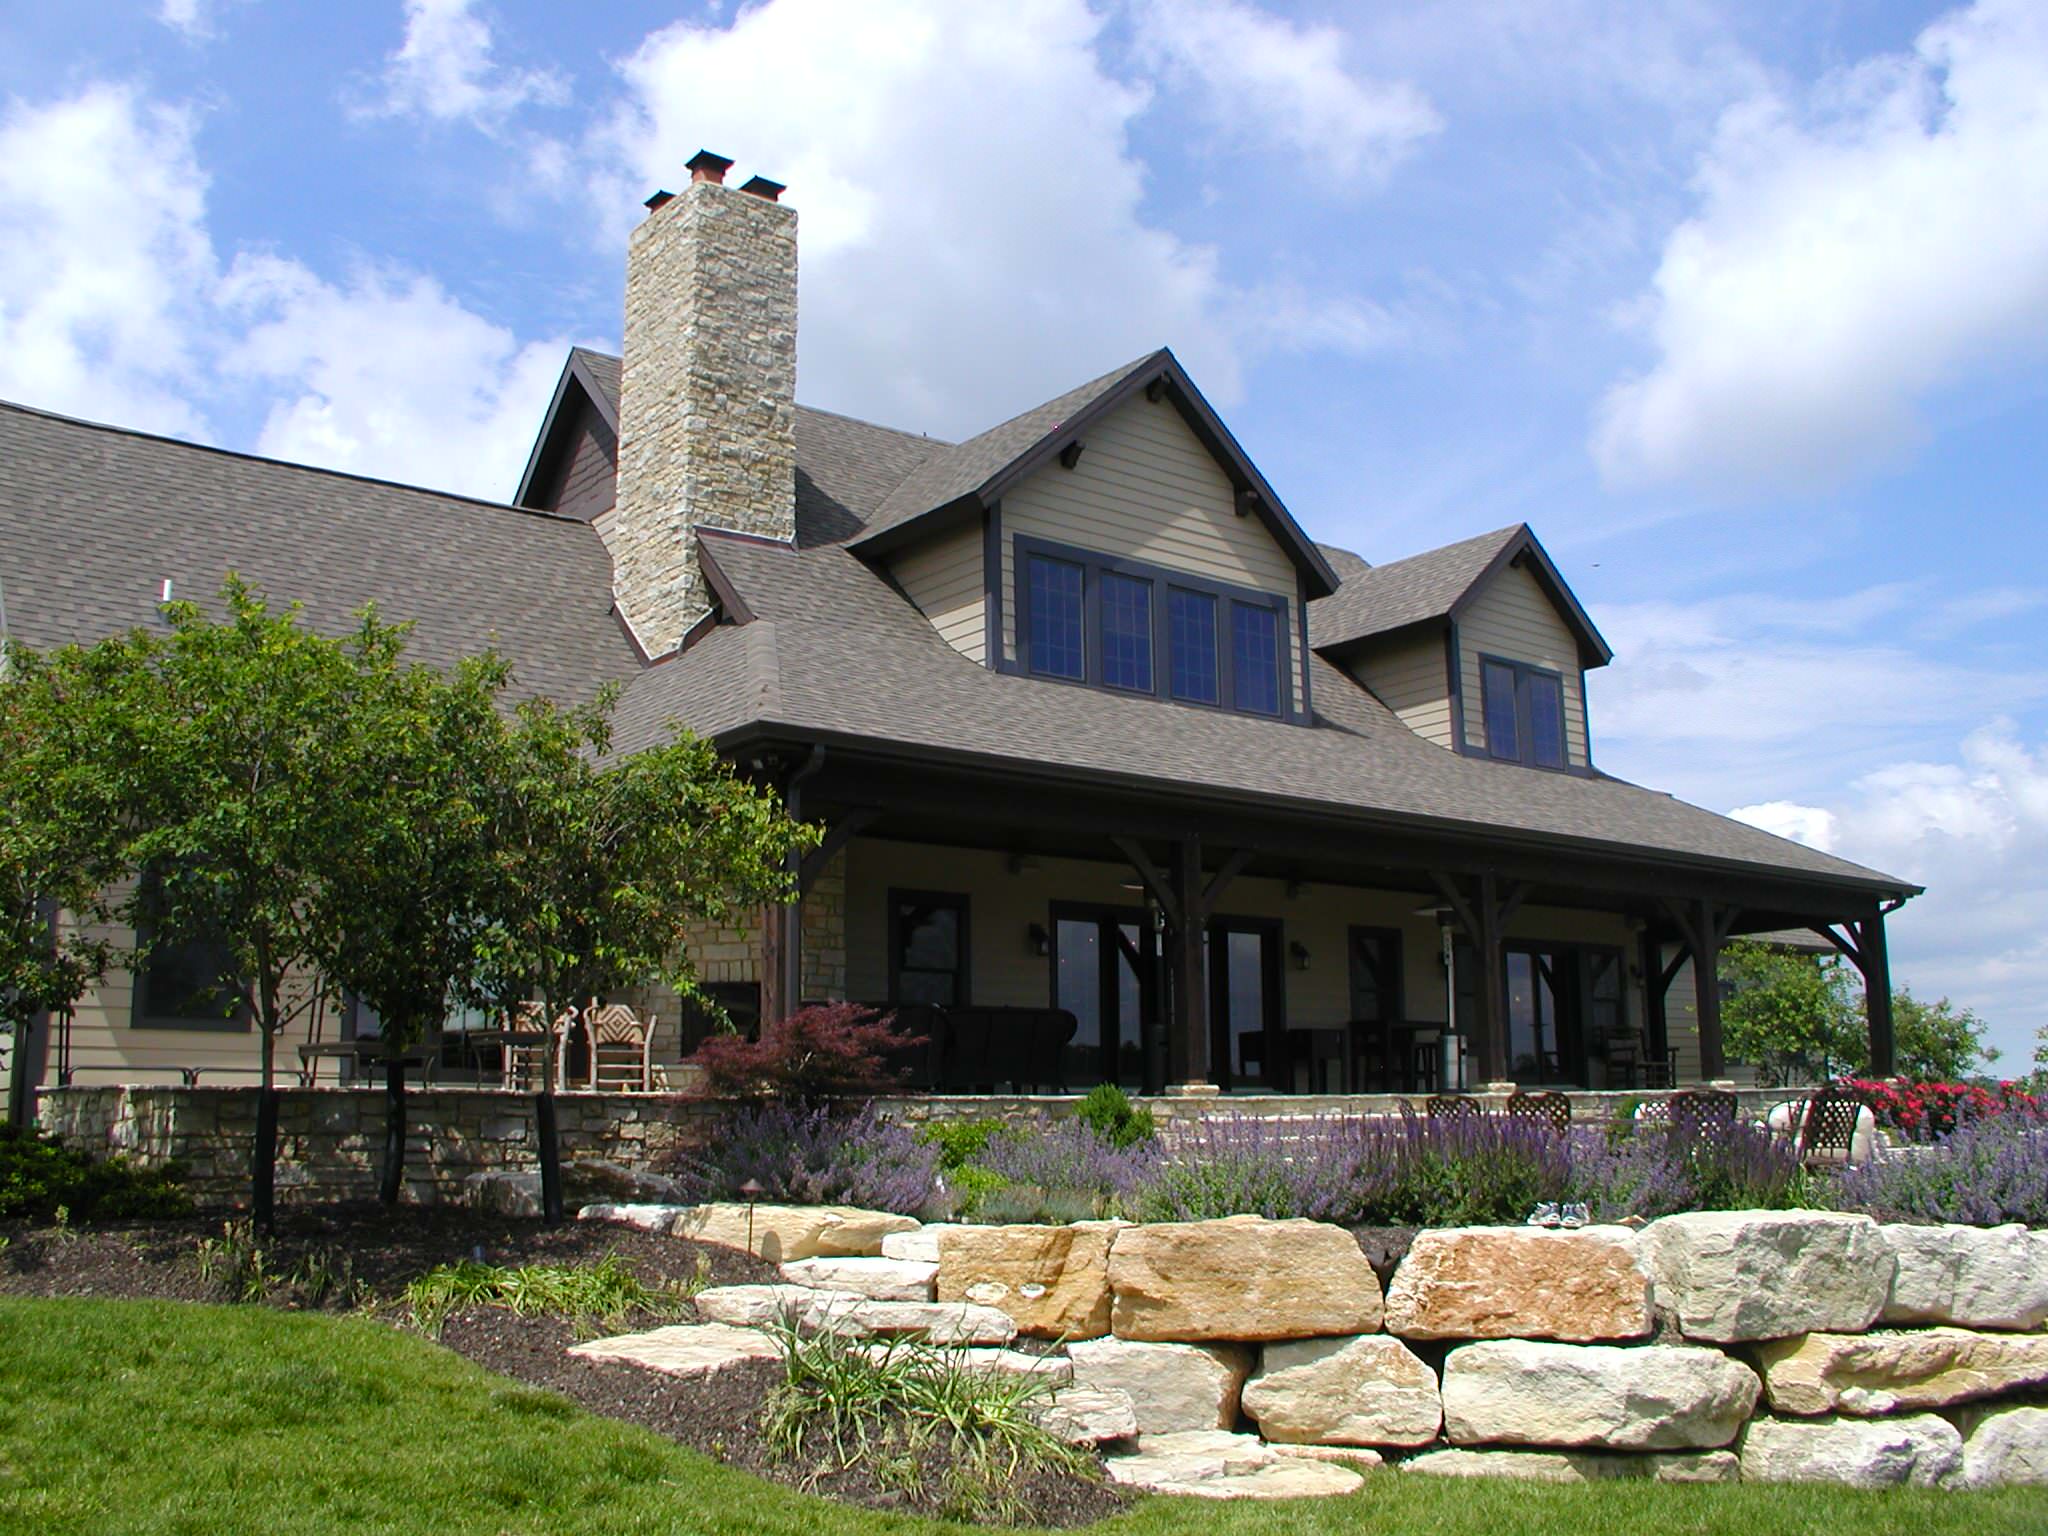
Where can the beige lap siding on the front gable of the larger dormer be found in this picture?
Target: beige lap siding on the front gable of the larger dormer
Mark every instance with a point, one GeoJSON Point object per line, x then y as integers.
{"type": "Point", "coordinates": [1146, 488]}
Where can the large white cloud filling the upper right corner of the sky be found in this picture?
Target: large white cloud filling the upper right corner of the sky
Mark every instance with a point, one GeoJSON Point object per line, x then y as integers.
{"type": "Point", "coordinates": [1854, 253]}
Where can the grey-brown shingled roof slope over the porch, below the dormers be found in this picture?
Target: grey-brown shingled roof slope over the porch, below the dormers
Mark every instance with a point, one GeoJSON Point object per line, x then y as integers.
{"type": "Point", "coordinates": [833, 652]}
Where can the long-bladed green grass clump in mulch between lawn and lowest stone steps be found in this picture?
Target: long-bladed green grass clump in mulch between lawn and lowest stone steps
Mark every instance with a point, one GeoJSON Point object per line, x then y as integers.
{"type": "Point", "coordinates": [949, 1437]}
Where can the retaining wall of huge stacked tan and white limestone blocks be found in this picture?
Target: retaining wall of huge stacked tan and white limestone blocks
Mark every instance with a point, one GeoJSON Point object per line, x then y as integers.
{"type": "Point", "coordinates": [1705, 1349]}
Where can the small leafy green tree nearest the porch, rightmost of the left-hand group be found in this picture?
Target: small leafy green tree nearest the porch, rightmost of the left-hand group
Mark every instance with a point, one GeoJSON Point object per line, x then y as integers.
{"type": "Point", "coordinates": [605, 863]}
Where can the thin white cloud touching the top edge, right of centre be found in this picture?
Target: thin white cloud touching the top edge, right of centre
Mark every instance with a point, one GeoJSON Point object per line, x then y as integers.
{"type": "Point", "coordinates": [1283, 85]}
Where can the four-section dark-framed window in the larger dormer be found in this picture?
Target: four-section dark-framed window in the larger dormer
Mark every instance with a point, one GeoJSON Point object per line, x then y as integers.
{"type": "Point", "coordinates": [1146, 630]}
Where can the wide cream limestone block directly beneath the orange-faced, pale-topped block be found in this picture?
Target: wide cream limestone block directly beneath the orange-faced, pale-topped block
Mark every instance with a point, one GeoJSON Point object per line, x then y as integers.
{"type": "Point", "coordinates": [1529, 1394]}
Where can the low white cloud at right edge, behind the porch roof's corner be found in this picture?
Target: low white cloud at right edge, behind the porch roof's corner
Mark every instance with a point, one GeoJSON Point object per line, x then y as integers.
{"type": "Point", "coordinates": [1975, 833]}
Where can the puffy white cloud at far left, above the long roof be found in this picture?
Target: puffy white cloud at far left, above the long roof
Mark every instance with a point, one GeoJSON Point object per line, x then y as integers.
{"type": "Point", "coordinates": [114, 306]}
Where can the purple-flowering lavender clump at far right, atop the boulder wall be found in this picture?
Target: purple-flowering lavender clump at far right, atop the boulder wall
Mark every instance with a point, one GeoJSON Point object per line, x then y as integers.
{"type": "Point", "coordinates": [1981, 1175]}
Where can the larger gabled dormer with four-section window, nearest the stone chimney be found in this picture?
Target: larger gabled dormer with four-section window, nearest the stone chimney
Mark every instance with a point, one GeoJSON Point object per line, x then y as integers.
{"type": "Point", "coordinates": [1117, 540]}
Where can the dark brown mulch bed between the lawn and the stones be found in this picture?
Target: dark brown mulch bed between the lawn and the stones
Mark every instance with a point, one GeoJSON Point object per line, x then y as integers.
{"type": "Point", "coordinates": [372, 1254]}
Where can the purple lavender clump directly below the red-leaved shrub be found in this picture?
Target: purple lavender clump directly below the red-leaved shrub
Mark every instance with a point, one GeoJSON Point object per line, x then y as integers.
{"type": "Point", "coordinates": [812, 1156]}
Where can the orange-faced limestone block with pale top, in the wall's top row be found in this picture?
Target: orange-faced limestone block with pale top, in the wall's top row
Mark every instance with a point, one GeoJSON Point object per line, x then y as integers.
{"type": "Point", "coordinates": [1521, 1283]}
